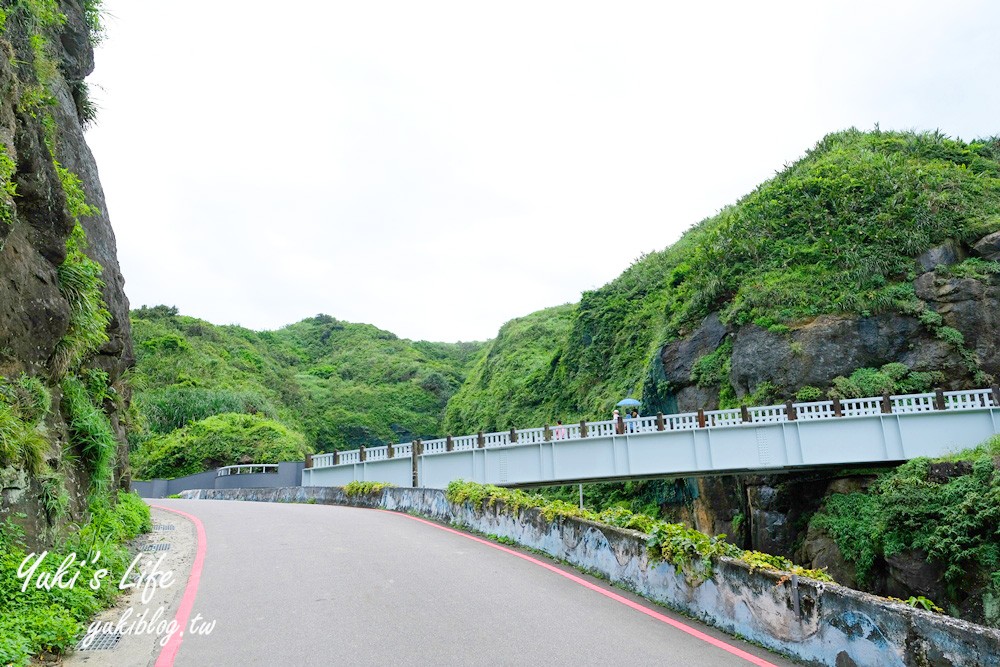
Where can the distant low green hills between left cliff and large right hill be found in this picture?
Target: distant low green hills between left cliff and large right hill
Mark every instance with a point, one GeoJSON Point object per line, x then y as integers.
{"type": "Point", "coordinates": [340, 385]}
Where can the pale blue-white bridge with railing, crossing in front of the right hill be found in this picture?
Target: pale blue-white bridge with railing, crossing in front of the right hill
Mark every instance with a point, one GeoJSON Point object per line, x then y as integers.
{"type": "Point", "coordinates": [884, 429]}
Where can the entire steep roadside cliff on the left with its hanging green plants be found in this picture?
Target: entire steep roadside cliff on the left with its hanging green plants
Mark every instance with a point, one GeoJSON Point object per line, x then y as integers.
{"type": "Point", "coordinates": [64, 327]}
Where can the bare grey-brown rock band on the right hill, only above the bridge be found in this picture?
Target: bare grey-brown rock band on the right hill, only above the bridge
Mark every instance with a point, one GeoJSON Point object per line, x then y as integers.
{"type": "Point", "coordinates": [812, 353]}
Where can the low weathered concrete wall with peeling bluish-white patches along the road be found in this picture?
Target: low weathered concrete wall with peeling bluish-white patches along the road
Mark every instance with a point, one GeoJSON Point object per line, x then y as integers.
{"type": "Point", "coordinates": [816, 622]}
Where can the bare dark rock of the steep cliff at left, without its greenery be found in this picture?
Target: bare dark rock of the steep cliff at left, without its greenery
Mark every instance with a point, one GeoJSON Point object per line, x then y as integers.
{"type": "Point", "coordinates": [34, 315]}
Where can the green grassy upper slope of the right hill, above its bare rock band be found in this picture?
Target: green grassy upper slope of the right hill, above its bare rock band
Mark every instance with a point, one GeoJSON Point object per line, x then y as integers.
{"type": "Point", "coordinates": [837, 231]}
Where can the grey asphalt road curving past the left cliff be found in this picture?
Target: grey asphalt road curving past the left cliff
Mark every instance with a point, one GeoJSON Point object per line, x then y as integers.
{"type": "Point", "coordinates": [323, 585]}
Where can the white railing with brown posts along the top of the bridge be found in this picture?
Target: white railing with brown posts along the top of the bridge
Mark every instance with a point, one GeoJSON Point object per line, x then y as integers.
{"type": "Point", "coordinates": [733, 418]}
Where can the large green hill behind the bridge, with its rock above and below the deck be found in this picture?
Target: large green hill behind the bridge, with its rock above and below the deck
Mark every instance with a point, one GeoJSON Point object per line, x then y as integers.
{"type": "Point", "coordinates": [870, 265]}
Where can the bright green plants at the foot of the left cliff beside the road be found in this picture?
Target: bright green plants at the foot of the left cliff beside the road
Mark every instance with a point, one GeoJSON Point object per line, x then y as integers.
{"type": "Point", "coordinates": [38, 620]}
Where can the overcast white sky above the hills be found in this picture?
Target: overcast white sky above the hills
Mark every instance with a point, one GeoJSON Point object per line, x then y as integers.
{"type": "Point", "coordinates": [438, 168]}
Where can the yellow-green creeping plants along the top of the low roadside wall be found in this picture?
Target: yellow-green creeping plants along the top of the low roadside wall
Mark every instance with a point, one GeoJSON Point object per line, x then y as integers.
{"type": "Point", "coordinates": [691, 551]}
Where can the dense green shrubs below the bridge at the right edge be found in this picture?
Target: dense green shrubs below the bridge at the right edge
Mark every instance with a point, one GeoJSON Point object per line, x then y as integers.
{"type": "Point", "coordinates": [947, 509]}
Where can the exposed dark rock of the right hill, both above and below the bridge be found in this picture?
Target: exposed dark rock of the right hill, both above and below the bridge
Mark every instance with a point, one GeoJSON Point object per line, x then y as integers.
{"type": "Point", "coordinates": [950, 332]}
